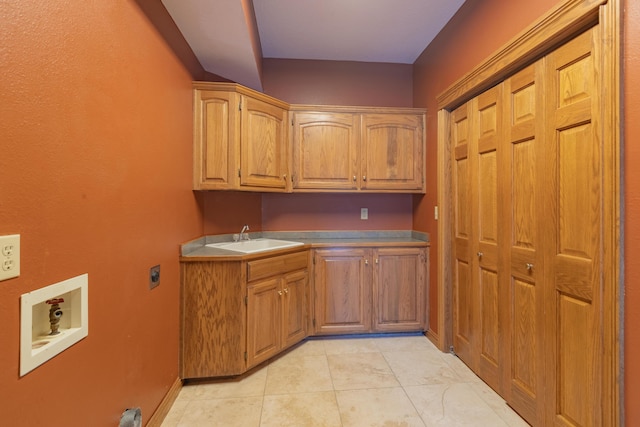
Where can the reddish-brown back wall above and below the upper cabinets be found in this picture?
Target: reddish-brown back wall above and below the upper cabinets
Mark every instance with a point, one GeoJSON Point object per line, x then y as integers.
{"type": "Point", "coordinates": [337, 83]}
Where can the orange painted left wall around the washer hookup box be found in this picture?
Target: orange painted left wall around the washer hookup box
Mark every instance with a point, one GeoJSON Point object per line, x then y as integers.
{"type": "Point", "coordinates": [96, 129]}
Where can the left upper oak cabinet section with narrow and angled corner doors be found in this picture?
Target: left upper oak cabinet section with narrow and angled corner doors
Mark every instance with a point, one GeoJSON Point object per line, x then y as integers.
{"type": "Point", "coordinates": [240, 139]}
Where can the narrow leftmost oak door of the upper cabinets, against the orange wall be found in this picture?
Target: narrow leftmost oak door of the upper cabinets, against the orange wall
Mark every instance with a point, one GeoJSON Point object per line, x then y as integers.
{"type": "Point", "coordinates": [215, 150]}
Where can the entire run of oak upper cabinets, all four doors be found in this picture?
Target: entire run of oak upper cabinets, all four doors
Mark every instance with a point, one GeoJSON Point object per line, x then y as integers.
{"type": "Point", "coordinates": [242, 141]}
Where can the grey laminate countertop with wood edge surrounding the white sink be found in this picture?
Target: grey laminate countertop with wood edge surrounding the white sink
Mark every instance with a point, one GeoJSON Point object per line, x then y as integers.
{"type": "Point", "coordinates": [196, 250]}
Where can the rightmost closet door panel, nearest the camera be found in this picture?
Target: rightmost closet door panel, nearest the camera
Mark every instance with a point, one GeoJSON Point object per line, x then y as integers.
{"type": "Point", "coordinates": [574, 227]}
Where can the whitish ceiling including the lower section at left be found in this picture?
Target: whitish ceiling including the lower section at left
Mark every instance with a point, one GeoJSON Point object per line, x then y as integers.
{"type": "Point", "coordinates": [220, 31]}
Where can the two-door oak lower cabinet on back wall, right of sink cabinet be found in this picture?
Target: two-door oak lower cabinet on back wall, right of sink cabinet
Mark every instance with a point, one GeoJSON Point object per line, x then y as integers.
{"type": "Point", "coordinates": [363, 290]}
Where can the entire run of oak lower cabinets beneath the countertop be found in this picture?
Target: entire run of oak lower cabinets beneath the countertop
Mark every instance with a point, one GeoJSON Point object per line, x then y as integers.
{"type": "Point", "coordinates": [238, 314]}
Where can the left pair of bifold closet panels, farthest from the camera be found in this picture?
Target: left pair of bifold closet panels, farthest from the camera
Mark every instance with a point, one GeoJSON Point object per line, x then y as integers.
{"type": "Point", "coordinates": [478, 294]}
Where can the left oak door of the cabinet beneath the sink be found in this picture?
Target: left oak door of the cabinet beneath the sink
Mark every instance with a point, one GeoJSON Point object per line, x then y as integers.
{"type": "Point", "coordinates": [264, 311]}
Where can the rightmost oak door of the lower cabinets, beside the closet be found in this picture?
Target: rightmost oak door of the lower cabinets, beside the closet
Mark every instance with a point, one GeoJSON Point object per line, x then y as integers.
{"type": "Point", "coordinates": [399, 289]}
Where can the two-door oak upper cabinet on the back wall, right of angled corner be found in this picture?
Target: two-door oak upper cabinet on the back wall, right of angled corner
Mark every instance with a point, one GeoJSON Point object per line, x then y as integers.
{"type": "Point", "coordinates": [358, 149]}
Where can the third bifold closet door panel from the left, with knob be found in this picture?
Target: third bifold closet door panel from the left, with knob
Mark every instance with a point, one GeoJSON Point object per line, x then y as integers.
{"type": "Point", "coordinates": [524, 218]}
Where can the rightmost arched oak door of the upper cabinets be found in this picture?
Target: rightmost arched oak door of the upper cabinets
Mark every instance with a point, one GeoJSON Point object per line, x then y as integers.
{"type": "Point", "coordinates": [392, 152]}
